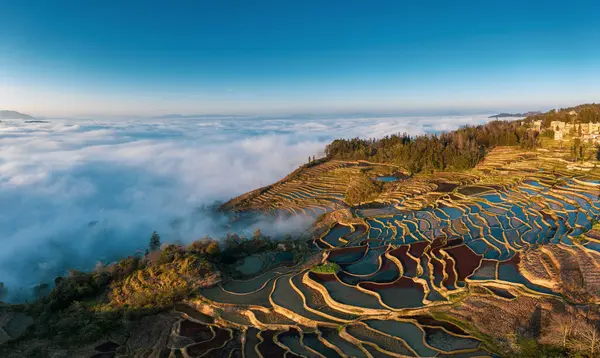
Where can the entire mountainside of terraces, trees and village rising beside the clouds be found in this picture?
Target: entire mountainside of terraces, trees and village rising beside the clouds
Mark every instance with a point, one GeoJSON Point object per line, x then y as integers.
{"type": "Point", "coordinates": [480, 242]}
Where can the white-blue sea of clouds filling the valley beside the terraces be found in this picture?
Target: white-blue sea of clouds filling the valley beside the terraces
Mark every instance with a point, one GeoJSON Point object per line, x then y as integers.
{"type": "Point", "coordinates": [75, 192]}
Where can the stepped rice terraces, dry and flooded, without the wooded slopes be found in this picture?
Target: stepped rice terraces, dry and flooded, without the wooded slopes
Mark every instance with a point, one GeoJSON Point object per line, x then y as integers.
{"type": "Point", "coordinates": [514, 232]}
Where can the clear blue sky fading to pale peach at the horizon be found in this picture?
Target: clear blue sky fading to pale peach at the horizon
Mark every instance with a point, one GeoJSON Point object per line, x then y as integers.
{"type": "Point", "coordinates": [144, 58]}
